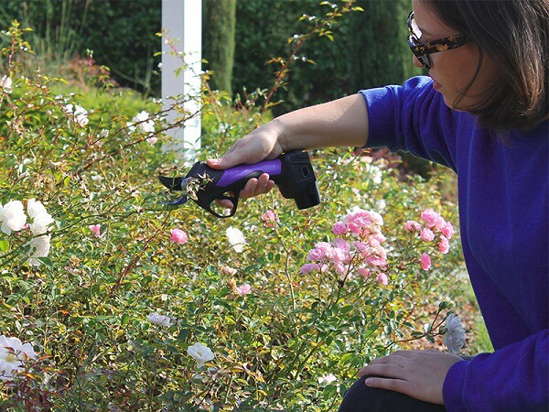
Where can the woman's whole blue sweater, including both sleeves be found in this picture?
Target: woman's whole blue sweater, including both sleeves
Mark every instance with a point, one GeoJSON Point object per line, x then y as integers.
{"type": "Point", "coordinates": [503, 206]}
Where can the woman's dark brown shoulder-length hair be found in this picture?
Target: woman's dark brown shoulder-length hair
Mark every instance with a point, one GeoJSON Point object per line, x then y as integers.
{"type": "Point", "coordinates": [514, 34]}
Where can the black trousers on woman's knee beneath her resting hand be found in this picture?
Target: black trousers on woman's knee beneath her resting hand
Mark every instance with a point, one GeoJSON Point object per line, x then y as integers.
{"type": "Point", "coordinates": [362, 398]}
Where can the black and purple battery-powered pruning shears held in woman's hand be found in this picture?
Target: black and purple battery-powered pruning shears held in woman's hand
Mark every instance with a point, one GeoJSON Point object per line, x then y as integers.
{"type": "Point", "coordinates": [292, 172]}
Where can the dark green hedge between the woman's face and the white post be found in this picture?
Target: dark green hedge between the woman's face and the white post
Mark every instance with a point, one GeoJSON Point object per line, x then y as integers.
{"type": "Point", "coordinates": [369, 49]}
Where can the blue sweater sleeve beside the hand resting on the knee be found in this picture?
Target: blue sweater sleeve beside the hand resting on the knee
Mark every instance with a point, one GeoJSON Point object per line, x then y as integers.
{"type": "Point", "coordinates": [513, 378]}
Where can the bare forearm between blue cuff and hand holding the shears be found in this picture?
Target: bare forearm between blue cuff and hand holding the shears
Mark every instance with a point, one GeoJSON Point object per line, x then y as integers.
{"type": "Point", "coordinates": [342, 122]}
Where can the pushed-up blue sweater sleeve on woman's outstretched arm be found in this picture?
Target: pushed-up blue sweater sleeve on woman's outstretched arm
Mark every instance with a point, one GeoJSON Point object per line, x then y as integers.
{"type": "Point", "coordinates": [412, 118]}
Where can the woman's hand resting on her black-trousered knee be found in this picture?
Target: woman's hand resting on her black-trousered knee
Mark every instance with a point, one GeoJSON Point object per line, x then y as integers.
{"type": "Point", "coordinates": [419, 374]}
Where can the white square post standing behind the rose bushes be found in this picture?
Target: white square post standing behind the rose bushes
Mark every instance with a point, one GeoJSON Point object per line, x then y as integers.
{"type": "Point", "coordinates": [182, 24]}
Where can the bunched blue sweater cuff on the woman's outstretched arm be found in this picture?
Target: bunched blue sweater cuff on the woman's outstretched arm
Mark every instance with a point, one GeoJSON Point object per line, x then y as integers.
{"type": "Point", "coordinates": [381, 115]}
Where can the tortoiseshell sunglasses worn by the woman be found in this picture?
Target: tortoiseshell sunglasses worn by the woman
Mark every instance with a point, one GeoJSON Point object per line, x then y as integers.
{"type": "Point", "coordinates": [423, 50]}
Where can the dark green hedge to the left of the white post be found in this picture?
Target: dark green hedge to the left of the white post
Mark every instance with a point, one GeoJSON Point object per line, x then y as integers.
{"type": "Point", "coordinates": [120, 33]}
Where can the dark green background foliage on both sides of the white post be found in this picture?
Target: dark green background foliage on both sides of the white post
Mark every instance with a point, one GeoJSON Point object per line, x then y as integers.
{"type": "Point", "coordinates": [370, 49]}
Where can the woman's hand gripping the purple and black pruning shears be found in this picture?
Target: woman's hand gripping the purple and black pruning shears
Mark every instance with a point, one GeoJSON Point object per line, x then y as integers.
{"type": "Point", "coordinates": [263, 143]}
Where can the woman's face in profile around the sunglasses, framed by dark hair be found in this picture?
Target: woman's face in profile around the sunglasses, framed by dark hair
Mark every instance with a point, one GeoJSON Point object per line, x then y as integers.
{"type": "Point", "coordinates": [453, 70]}
